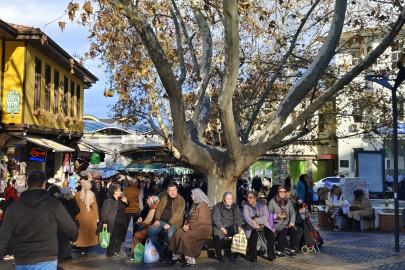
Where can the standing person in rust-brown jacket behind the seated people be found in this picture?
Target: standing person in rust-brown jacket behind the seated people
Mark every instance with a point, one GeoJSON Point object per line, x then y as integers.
{"type": "Point", "coordinates": [132, 211]}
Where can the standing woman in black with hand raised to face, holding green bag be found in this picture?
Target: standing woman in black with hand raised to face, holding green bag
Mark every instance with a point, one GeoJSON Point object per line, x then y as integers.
{"type": "Point", "coordinates": [113, 217]}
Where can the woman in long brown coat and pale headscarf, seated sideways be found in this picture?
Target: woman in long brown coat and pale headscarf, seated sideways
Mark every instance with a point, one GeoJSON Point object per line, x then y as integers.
{"type": "Point", "coordinates": [197, 227]}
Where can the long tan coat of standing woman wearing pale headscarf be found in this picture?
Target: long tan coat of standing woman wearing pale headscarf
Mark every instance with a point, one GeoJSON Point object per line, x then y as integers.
{"type": "Point", "coordinates": [87, 222]}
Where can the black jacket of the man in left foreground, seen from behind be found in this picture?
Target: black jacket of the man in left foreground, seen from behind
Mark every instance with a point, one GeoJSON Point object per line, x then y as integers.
{"type": "Point", "coordinates": [32, 221]}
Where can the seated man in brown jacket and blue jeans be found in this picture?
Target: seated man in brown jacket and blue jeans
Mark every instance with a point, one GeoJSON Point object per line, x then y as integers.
{"type": "Point", "coordinates": [168, 216]}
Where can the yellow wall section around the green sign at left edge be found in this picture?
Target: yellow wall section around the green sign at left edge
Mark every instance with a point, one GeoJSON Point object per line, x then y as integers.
{"type": "Point", "coordinates": [13, 76]}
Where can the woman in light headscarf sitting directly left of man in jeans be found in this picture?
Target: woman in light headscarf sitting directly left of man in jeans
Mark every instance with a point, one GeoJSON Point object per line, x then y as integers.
{"type": "Point", "coordinates": [142, 233]}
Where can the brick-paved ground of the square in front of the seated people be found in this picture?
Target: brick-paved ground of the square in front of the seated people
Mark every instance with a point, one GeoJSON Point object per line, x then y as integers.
{"type": "Point", "coordinates": [342, 250]}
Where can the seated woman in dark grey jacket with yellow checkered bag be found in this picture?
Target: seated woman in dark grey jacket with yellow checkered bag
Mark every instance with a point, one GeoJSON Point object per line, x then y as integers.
{"type": "Point", "coordinates": [226, 216]}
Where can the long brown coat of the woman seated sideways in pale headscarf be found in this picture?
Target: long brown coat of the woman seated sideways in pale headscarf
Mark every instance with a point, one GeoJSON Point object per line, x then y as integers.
{"type": "Point", "coordinates": [190, 243]}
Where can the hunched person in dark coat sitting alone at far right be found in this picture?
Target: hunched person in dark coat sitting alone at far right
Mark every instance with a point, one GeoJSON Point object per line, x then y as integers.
{"type": "Point", "coordinates": [360, 208]}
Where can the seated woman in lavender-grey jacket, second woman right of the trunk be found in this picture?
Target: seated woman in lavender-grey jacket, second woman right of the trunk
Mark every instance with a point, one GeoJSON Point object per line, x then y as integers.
{"type": "Point", "coordinates": [256, 216]}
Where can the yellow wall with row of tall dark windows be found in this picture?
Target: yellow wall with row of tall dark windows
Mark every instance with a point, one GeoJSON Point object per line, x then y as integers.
{"type": "Point", "coordinates": [30, 118]}
